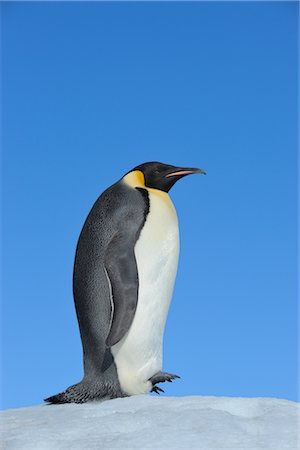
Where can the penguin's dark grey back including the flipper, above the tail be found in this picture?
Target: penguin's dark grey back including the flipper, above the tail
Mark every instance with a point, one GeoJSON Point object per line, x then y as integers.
{"type": "Point", "coordinates": [104, 265]}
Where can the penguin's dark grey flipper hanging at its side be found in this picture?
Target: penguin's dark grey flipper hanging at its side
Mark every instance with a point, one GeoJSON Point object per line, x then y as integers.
{"type": "Point", "coordinates": [121, 268]}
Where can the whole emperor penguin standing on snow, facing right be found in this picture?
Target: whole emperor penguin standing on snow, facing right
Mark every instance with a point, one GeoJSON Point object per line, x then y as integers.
{"type": "Point", "coordinates": [124, 272]}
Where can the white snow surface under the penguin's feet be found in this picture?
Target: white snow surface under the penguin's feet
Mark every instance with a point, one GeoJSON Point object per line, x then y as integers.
{"type": "Point", "coordinates": [144, 422]}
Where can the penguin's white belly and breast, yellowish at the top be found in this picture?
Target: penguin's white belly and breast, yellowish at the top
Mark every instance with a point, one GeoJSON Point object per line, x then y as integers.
{"type": "Point", "coordinates": [138, 356]}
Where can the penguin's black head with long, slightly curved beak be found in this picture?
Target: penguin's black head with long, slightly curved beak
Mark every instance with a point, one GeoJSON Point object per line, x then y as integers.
{"type": "Point", "coordinates": [163, 176]}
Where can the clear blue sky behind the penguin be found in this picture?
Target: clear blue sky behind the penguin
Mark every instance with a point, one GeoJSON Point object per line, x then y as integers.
{"type": "Point", "coordinates": [90, 91]}
